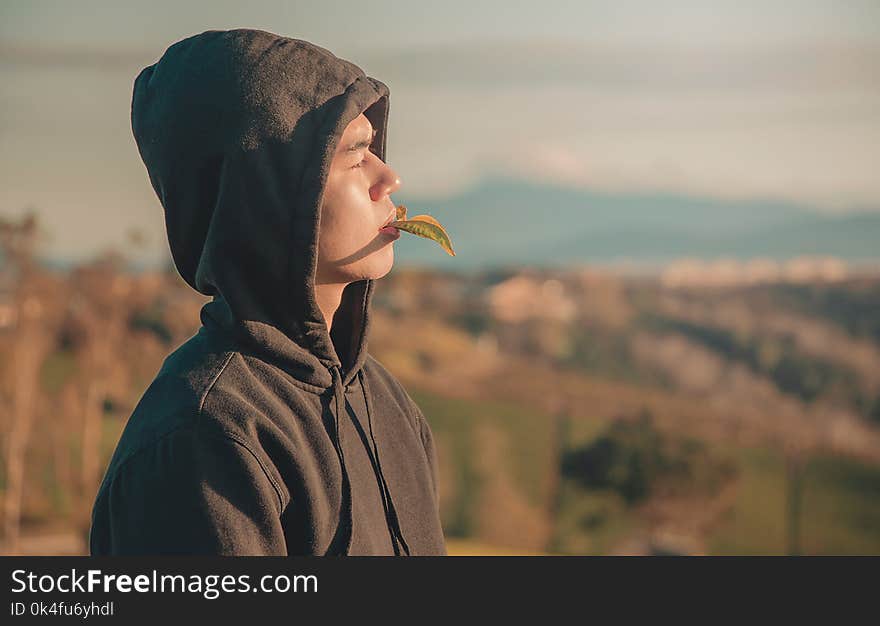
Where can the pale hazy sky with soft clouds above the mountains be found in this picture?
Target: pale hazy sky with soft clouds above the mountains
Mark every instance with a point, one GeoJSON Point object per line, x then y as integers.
{"type": "Point", "coordinates": [733, 98]}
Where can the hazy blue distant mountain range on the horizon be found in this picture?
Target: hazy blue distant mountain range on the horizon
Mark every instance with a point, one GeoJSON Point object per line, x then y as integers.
{"type": "Point", "coordinates": [502, 221]}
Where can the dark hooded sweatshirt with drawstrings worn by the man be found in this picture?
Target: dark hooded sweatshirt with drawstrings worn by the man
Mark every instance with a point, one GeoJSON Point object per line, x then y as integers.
{"type": "Point", "coordinates": [263, 434]}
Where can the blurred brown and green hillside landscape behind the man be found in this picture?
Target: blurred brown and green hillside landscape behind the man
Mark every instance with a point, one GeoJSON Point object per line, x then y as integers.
{"type": "Point", "coordinates": [712, 408]}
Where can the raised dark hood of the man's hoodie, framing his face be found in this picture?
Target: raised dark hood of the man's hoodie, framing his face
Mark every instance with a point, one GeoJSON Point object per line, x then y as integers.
{"type": "Point", "coordinates": [237, 130]}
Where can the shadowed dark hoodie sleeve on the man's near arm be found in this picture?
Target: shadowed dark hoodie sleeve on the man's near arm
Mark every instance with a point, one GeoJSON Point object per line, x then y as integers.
{"type": "Point", "coordinates": [196, 490]}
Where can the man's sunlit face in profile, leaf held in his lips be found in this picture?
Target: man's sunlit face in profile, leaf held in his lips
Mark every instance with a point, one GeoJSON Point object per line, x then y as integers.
{"type": "Point", "coordinates": [356, 204]}
